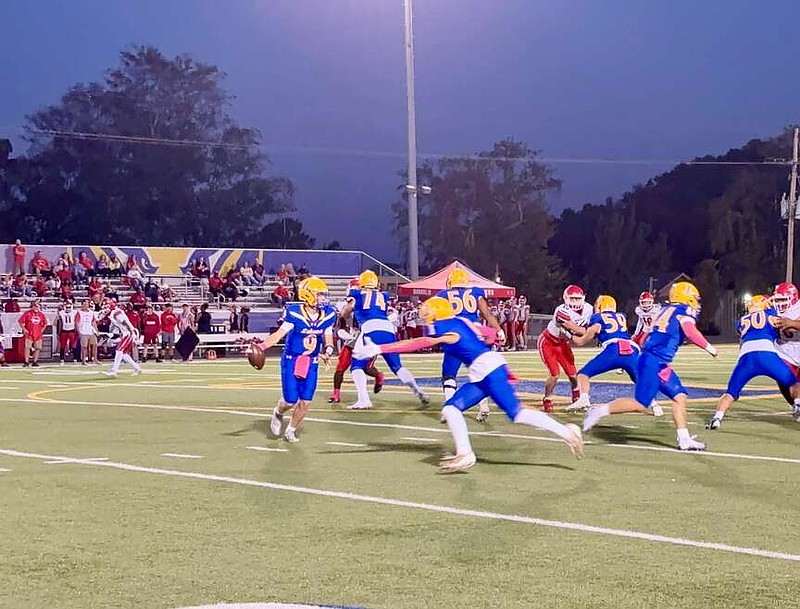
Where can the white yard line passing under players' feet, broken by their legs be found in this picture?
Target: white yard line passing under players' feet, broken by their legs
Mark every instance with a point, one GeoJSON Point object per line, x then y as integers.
{"type": "Point", "coordinates": [495, 434]}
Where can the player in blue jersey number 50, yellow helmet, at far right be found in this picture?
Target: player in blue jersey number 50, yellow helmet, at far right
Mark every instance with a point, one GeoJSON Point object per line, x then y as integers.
{"type": "Point", "coordinates": [758, 356]}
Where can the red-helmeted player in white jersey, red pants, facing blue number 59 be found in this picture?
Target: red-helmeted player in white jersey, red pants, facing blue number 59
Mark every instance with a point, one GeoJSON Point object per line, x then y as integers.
{"type": "Point", "coordinates": [554, 343]}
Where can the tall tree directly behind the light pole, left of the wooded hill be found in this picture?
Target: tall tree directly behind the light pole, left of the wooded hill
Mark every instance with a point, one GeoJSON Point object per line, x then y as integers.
{"type": "Point", "coordinates": [491, 212]}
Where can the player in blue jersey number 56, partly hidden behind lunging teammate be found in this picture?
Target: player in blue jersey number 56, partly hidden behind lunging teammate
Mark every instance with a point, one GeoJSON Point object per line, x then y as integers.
{"type": "Point", "coordinates": [469, 303]}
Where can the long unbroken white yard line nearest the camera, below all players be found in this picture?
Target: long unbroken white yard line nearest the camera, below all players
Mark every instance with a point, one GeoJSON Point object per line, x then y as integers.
{"type": "Point", "coordinates": [442, 509]}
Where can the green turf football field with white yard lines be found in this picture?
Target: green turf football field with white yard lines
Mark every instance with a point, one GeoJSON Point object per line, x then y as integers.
{"type": "Point", "coordinates": [166, 490]}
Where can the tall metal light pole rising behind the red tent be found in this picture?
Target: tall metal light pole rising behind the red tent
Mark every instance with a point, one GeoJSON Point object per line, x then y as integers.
{"type": "Point", "coordinates": [411, 186]}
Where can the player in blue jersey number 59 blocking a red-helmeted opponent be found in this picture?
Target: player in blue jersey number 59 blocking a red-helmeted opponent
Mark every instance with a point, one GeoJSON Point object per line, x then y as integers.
{"type": "Point", "coordinates": [619, 351]}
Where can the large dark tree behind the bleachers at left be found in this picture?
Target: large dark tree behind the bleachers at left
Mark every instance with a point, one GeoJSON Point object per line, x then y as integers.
{"type": "Point", "coordinates": [148, 155]}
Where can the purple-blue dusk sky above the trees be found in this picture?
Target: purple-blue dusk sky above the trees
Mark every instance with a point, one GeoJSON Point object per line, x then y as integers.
{"type": "Point", "coordinates": [324, 81]}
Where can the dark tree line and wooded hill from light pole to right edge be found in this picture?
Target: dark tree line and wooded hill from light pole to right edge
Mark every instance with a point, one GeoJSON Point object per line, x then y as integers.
{"type": "Point", "coordinates": [716, 219]}
